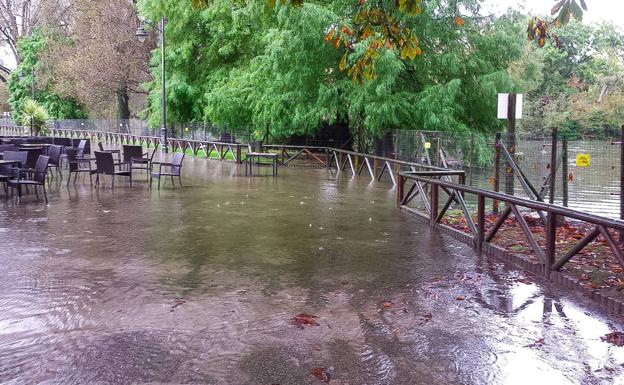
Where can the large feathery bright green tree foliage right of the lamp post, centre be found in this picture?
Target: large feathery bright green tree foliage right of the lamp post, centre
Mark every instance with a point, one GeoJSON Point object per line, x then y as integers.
{"type": "Point", "coordinates": [269, 69]}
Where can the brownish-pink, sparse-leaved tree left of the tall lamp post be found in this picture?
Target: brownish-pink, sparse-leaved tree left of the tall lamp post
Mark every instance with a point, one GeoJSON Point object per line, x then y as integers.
{"type": "Point", "coordinates": [98, 60]}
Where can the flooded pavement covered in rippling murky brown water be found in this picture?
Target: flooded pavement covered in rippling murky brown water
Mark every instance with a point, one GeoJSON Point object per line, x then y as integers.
{"type": "Point", "coordinates": [200, 286]}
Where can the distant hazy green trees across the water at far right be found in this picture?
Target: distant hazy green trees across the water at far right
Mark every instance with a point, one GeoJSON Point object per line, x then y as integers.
{"type": "Point", "coordinates": [580, 88]}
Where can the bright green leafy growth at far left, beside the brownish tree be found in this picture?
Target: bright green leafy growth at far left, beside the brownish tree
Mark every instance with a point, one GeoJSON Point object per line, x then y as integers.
{"type": "Point", "coordinates": [21, 81]}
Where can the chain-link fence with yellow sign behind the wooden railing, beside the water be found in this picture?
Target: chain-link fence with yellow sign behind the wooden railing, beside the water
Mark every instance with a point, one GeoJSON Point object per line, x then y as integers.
{"type": "Point", "coordinates": [592, 186]}
